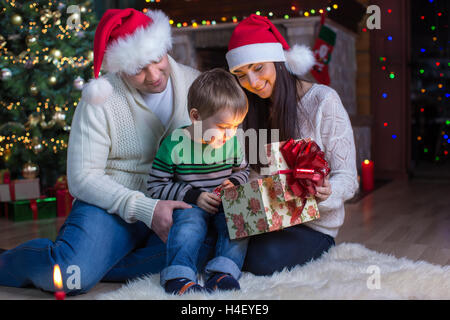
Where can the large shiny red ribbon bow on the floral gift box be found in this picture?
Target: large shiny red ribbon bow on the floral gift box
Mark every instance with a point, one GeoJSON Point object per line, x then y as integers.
{"type": "Point", "coordinates": [308, 166]}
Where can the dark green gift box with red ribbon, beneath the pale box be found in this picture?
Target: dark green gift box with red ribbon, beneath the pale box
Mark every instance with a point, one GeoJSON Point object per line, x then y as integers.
{"type": "Point", "coordinates": [34, 209]}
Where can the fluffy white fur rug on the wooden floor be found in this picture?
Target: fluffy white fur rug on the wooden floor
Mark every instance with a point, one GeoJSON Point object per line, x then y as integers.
{"type": "Point", "coordinates": [347, 271]}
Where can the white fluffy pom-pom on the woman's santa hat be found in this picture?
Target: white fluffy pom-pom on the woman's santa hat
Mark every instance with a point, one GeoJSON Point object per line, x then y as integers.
{"type": "Point", "coordinates": [299, 59]}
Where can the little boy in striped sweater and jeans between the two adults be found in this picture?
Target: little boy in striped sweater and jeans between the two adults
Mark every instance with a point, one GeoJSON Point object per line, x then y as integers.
{"type": "Point", "coordinates": [189, 169]}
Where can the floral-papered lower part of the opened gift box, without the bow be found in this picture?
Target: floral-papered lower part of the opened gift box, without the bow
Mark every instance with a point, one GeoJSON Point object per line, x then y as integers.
{"type": "Point", "coordinates": [259, 206]}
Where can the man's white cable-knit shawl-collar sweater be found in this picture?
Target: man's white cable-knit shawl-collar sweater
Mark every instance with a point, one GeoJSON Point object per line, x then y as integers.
{"type": "Point", "coordinates": [112, 146]}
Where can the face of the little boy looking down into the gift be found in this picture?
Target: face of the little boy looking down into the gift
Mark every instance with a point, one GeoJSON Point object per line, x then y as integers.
{"type": "Point", "coordinates": [218, 128]}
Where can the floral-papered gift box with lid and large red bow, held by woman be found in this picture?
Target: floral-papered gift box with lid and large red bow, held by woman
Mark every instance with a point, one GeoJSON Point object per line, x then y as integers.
{"type": "Point", "coordinates": [281, 200]}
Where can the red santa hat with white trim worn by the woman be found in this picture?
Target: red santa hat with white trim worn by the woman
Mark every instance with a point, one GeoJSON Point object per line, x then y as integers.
{"type": "Point", "coordinates": [256, 39]}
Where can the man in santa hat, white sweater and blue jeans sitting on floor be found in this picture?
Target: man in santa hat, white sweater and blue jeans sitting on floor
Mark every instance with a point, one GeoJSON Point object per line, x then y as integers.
{"type": "Point", "coordinates": [114, 231]}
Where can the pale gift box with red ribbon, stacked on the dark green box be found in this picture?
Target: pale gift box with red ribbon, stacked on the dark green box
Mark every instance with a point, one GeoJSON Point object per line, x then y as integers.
{"type": "Point", "coordinates": [23, 189]}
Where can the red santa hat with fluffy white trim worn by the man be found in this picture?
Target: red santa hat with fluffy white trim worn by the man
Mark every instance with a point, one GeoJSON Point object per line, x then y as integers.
{"type": "Point", "coordinates": [126, 40]}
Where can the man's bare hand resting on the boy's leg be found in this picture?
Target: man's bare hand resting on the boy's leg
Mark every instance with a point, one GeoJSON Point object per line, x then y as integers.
{"type": "Point", "coordinates": [162, 217]}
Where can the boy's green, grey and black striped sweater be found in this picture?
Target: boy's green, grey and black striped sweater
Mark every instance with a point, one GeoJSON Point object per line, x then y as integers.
{"type": "Point", "coordinates": [183, 168]}
